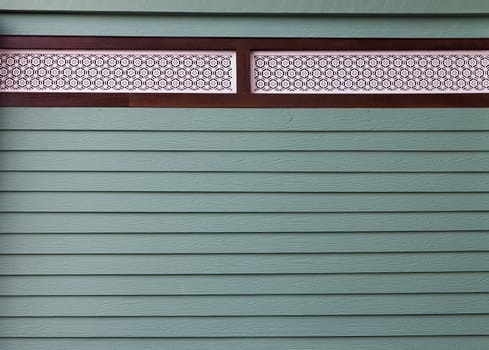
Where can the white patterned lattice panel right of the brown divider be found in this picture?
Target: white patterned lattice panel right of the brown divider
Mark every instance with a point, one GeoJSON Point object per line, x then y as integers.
{"type": "Point", "coordinates": [370, 72]}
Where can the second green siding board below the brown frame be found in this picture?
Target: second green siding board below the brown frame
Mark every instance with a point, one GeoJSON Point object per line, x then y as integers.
{"type": "Point", "coordinates": [242, 141]}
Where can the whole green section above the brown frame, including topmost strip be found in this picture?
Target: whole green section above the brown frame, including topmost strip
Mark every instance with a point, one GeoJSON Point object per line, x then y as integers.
{"type": "Point", "coordinates": [252, 18]}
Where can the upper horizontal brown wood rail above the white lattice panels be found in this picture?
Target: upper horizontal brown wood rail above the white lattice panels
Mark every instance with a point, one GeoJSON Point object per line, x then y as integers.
{"type": "Point", "coordinates": [176, 43]}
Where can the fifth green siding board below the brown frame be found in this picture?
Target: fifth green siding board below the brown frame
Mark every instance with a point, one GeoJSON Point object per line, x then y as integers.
{"type": "Point", "coordinates": [239, 202]}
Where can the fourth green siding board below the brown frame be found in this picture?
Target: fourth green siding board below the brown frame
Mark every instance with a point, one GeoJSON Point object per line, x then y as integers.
{"type": "Point", "coordinates": [242, 182]}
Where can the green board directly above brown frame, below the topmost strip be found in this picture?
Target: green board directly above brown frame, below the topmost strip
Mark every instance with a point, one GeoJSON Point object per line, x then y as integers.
{"type": "Point", "coordinates": [77, 24]}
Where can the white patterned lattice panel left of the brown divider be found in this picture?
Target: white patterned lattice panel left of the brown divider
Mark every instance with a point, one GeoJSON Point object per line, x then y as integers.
{"type": "Point", "coordinates": [118, 71]}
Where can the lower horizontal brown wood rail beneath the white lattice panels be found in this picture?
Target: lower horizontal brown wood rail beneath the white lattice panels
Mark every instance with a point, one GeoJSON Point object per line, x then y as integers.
{"type": "Point", "coordinates": [248, 100]}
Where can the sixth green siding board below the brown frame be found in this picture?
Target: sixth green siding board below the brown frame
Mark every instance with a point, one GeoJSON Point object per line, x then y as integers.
{"type": "Point", "coordinates": [240, 222]}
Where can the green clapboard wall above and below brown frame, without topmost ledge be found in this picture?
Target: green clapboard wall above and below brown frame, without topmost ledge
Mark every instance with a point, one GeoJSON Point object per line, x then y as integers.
{"type": "Point", "coordinates": [247, 229]}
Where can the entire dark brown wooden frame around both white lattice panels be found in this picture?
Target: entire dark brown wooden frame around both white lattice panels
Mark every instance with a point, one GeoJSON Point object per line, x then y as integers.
{"type": "Point", "coordinates": [243, 97]}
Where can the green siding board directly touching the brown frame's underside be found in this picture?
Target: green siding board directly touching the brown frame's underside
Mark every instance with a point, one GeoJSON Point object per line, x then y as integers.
{"type": "Point", "coordinates": [256, 119]}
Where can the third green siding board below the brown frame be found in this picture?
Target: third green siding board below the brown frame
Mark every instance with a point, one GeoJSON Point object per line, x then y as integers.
{"type": "Point", "coordinates": [299, 161]}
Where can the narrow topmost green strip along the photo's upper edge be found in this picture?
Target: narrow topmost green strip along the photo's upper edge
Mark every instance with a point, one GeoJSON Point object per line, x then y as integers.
{"type": "Point", "coordinates": [300, 7]}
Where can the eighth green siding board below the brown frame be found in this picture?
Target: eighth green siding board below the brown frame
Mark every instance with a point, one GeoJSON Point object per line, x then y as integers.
{"type": "Point", "coordinates": [176, 264]}
